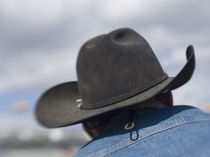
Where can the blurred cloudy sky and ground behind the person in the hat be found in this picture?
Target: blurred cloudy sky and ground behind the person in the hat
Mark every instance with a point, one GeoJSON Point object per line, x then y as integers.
{"type": "Point", "coordinates": [39, 43]}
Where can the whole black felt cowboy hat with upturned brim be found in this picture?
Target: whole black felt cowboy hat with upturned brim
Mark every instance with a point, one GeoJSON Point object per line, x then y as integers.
{"type": "Point", "coordinates": [115, 71]}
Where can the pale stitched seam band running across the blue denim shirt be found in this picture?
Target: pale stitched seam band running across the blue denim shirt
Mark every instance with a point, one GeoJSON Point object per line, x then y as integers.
{"type": "Point", "coordinates": [148, 132]}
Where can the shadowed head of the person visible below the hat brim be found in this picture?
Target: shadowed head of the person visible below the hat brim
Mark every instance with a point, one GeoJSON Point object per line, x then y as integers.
{"type": "Point", "coordinates": [96, 126]}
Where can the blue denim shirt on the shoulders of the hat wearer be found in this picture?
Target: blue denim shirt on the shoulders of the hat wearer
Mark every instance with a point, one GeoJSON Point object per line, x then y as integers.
{"type": "Point", "coordinates": [178, 131]}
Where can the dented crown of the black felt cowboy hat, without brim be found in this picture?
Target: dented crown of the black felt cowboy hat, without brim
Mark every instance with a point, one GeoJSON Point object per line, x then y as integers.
{"type": "Point", "coordinates": [116, 66]}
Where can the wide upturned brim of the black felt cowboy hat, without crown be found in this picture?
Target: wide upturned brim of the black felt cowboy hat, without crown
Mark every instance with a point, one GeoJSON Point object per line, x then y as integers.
{"type": "Point", "coordinates": [57, 107]}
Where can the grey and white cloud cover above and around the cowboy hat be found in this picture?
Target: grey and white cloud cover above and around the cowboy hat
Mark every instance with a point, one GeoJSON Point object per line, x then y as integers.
{"type": "Point", "coordinates": [40, 40]}
